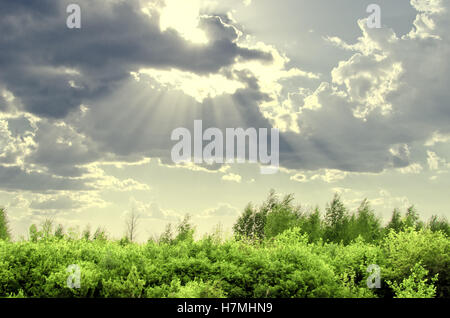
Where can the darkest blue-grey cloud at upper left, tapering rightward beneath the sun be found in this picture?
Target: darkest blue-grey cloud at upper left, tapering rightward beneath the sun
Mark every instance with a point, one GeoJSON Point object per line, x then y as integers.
{"type": "Point", "coordinates": [115, 38]}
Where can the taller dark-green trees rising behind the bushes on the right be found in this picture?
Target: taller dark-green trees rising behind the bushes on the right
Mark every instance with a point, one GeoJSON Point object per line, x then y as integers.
{"type": "Point", "coordinates": [337, 224]}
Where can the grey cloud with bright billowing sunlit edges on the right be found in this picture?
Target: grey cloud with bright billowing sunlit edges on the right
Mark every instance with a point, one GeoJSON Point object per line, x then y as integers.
{"type": "Point", "coordinates": [390, 93]}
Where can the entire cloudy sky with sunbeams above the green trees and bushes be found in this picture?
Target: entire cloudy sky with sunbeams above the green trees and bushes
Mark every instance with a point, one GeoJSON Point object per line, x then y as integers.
{"type": "Point", "coordinates": [86, 114]}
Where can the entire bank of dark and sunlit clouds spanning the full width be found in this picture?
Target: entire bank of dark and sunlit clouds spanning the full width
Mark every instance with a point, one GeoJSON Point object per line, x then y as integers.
{"type": "Point", "coordinates": [114, 91]}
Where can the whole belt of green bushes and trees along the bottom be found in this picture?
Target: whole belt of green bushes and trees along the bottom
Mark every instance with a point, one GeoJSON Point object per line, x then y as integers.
{"type": "Point", "coordinates": [278, 250]}
